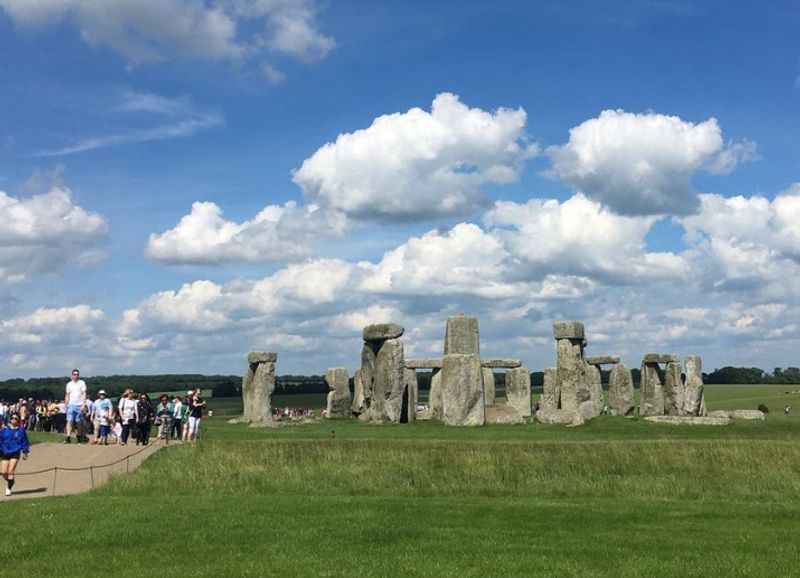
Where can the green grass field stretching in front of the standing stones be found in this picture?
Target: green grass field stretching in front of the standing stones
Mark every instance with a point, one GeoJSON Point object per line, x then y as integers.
{"type": "Point", "coordinates": [617, 497]}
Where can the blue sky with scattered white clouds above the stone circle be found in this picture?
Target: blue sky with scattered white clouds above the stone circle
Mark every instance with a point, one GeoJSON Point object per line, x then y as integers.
{"type": "Point", "coordinates": [117, 120]}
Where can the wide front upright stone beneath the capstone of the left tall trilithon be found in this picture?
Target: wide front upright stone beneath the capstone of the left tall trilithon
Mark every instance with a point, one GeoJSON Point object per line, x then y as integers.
{"type": "Point", "coordinates": [388, 384]}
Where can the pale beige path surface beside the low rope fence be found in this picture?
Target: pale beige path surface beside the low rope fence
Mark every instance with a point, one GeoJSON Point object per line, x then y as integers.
{"type": "Point", "coordinates": [59, 469]}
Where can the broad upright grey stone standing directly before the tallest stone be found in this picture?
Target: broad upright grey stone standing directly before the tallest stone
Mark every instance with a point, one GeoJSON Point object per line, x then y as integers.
{"type": "Point", "coordinates": [462, 390]}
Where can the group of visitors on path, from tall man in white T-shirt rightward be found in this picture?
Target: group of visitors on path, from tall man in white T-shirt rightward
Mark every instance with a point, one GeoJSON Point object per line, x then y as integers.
{"type": "Point", "coordinates": [134, 415]}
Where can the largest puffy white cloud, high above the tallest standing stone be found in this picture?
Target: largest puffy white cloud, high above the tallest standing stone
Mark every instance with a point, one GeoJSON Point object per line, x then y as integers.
{"type": "Point", "coordinates": [418, 164]}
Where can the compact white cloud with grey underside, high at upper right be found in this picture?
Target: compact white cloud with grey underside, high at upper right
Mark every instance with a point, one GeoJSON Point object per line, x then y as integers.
{"type": "Point", "coordinates": [642, 164]}
